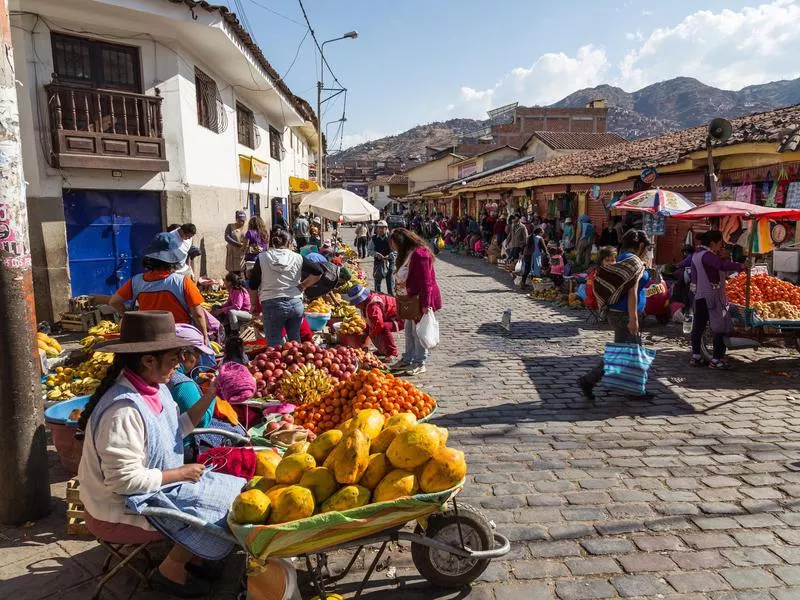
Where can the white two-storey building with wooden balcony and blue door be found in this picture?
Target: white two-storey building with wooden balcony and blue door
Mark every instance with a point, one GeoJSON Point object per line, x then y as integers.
{"type": "Point", "coordinates": [140, 113]}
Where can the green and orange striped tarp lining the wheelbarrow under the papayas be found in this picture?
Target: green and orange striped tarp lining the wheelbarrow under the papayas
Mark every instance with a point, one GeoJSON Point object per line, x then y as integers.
{"type": "Point", "coordinates": [326, 530]}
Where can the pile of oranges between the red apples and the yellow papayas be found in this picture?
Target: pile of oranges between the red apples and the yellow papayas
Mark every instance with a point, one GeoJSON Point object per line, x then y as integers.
{"type": "Point", "coordinates": [365, 389]}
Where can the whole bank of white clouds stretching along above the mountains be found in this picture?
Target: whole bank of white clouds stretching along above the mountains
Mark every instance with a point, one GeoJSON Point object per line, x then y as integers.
{"type": "Point", "coordinates": [728, 49]}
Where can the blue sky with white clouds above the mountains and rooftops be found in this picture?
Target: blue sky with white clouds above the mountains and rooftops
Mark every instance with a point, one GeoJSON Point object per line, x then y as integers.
{"type": "Point", "coordinates": [417, 61]}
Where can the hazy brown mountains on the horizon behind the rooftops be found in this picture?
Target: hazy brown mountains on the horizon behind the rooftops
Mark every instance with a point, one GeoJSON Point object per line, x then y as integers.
{"type": "Point", "coordinates": [665, 106]}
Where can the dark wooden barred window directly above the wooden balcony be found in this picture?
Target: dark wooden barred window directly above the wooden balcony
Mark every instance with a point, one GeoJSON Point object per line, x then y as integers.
{"type": "Point", "coordinates": [96, 63]}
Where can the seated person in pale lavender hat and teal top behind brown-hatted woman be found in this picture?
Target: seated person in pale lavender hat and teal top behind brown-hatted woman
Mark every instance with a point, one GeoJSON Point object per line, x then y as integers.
{"type": "Point", "coordinates": [186, 391]}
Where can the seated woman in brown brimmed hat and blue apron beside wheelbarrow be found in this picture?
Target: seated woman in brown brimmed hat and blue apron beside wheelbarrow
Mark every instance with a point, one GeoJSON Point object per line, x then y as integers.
{"type": "Point", "coordinates": [133, 457]}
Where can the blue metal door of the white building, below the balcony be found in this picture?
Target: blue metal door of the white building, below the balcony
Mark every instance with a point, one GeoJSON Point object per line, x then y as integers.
{"type": "Point", "coordinates": [106, 232]}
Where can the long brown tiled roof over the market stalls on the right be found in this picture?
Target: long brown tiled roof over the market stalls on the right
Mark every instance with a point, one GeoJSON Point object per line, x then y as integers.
{"type": "Point", "coordinates": [781, 126]}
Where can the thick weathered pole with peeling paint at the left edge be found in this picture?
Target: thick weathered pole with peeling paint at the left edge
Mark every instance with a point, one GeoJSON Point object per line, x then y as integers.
{"type": "Point", "coordinates": [23, 445]}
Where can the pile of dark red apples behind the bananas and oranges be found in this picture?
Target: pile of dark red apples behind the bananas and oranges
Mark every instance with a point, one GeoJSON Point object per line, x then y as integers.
{"type": "Point", "coordinates": [270, 366]}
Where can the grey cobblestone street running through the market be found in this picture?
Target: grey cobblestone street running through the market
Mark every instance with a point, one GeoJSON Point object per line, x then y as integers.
{"type": "Point", "coordinates": [691, 495]}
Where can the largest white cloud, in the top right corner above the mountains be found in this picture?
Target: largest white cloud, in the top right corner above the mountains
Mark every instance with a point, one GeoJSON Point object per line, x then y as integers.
{"type": "Point", "coordinates": [728, 49]}
